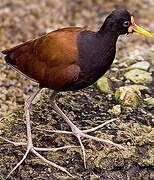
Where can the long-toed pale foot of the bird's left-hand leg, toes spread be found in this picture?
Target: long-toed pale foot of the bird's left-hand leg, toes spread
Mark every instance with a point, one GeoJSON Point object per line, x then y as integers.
{"type": "Point", "coordinates": [34, 150]}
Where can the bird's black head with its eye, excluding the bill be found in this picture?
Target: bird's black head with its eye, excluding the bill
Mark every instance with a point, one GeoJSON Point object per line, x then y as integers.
{"type": "Point", "coordinates": [117, 22]}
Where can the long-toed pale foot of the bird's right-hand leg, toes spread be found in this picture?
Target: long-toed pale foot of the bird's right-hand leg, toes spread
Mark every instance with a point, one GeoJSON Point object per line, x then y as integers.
{"type": "Point", "coordinates": [83, 133]}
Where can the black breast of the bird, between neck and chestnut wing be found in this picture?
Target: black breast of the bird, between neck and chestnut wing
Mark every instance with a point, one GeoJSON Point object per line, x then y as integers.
{"type": "Point", "coordinates": [94, 59]}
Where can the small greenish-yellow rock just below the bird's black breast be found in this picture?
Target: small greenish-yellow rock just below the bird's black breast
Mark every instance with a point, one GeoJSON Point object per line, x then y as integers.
{"type": "Point", "coordinates": [104, 85]}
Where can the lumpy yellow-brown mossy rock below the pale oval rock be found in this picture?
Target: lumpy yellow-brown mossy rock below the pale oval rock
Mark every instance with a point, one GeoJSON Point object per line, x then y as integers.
{"type": "Point", "coordinates": [129, 95]}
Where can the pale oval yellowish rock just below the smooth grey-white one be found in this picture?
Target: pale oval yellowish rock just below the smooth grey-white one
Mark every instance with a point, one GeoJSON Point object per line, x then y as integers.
{"type": "Point", "coordinates": [138, 76]}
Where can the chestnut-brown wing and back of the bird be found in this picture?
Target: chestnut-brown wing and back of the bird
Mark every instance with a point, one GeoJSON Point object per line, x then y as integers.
{"type": "Point", "coordinates": [51, 59]}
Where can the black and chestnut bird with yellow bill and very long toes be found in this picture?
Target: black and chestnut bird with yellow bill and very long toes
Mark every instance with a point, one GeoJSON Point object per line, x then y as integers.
{"type": "Point", "coordinates": [69, 59]}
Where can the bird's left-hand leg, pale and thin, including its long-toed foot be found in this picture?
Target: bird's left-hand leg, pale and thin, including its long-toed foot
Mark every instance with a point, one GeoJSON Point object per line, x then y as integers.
{"type": "Point", "coordinates": [30, 143]}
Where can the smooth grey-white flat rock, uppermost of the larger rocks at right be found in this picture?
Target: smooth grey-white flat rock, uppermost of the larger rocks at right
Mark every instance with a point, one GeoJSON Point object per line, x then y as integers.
{"type": "Point", "coordinates": [143, 65]}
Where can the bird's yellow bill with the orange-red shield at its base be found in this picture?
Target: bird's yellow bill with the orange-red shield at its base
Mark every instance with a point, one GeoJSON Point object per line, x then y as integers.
{"type": "Point", "coordinates": [138, 29]}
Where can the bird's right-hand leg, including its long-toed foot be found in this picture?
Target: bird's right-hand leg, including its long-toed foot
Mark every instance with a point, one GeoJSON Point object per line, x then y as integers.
{"type": "Point", "coordinates": [77, 132]}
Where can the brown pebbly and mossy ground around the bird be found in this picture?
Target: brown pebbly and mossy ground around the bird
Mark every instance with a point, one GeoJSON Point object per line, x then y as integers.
{"type": "Point", "coordinates": [23, 20]}
